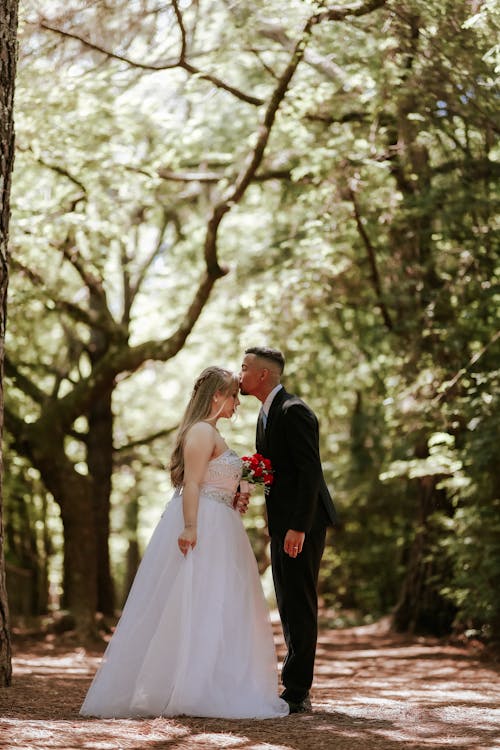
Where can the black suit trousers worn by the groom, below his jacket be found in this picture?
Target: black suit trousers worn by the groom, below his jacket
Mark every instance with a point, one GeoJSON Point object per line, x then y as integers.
{"type": "Point", "coordinates": [295, 583]}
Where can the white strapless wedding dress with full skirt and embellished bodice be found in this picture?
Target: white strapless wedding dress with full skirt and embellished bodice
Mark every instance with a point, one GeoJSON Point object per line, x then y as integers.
{"type": "Point", "coordinates": [195, 636]}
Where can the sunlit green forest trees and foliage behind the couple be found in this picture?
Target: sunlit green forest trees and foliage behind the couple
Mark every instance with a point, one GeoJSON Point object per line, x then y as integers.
{"type": "Point", "coordinates": [196, 177]}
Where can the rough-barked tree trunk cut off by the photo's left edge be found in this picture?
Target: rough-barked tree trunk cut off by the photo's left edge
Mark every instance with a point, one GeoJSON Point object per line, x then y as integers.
{"type": "Point", "coordinates": [8, 59]}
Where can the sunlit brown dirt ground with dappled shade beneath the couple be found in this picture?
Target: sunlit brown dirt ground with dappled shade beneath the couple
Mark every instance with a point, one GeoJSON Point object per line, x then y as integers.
{"type": "Point", "coordinates": [373, 691]}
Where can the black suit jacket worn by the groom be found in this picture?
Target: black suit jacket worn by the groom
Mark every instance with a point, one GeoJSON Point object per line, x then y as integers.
{"type": "Point", "coordinates": [298, 498]}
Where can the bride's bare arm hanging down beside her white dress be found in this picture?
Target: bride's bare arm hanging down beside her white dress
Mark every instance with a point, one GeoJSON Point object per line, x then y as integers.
{"type": "Point", "coordinates": [198, 448]}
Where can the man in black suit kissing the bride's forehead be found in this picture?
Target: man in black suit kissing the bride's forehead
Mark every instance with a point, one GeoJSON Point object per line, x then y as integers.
{"type": "Point", "coordinates": [299, 508]}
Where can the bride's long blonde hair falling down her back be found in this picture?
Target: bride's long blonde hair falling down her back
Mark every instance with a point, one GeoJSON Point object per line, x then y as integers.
{"type": "Point", "coordinates": [211, 381]}
